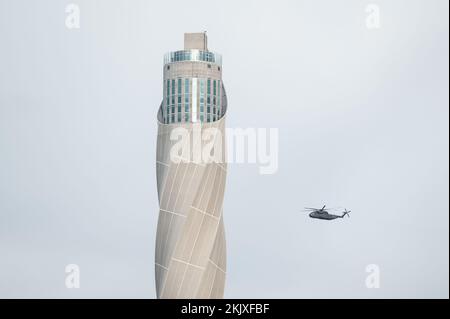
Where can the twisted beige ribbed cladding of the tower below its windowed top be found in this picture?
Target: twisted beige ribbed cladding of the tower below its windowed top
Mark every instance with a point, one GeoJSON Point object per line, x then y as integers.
{"type": "Point", "coordinates": [190, 259]}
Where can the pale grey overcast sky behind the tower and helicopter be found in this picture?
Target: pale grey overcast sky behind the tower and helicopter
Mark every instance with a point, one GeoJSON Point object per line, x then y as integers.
{"type": "Point", "coordinates": [363, 124]}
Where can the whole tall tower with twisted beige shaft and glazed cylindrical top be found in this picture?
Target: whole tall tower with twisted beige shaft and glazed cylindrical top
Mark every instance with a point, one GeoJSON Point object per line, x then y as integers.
{"type": "Point", "coordinates": [190, 245]}
